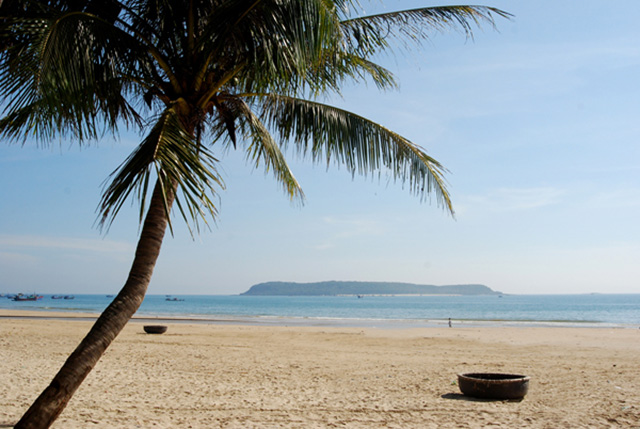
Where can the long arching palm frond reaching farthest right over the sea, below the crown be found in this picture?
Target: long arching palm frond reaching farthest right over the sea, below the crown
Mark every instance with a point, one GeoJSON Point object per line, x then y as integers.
{"type": "Point", "coordinates": [331, 134]}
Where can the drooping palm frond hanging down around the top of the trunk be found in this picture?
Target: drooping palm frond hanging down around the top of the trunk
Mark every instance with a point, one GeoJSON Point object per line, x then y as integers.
{"type": "Point", "coordinates": [178, 161]}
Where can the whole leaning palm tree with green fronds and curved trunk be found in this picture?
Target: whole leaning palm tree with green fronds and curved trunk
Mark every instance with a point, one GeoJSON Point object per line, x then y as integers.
{"type": "Point", "coordinates": [201, 76]}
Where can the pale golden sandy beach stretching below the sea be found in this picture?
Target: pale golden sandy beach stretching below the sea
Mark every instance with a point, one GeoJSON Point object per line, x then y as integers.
{"type": "Point", "coordinates": [222, 376]}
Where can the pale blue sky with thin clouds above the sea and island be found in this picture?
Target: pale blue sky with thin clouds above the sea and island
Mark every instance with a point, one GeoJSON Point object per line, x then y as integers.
{"type": "Point", "coordinates": [538, 124]}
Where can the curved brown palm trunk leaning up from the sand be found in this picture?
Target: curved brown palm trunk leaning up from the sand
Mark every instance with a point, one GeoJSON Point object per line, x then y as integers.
{"type": "Point", "coordinates": [113, 319]}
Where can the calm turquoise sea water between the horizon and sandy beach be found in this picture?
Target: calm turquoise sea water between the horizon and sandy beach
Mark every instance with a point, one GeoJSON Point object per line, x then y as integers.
{"type": "Point", "coordinates": [600, 310]}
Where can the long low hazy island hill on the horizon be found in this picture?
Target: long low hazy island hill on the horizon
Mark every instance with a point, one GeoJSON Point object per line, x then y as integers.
{"type": "Point", "coordinates": [333, 288]}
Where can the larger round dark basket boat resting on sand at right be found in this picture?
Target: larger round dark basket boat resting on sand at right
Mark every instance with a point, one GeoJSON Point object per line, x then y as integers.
{"type": "Point", "coordinates": [493, 386]}
